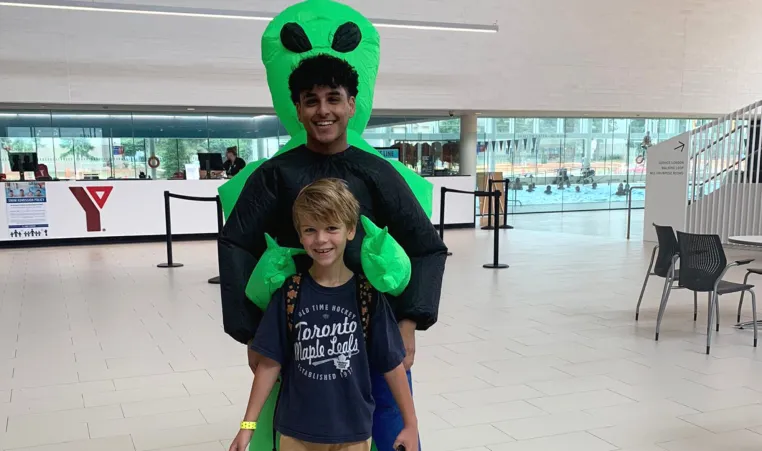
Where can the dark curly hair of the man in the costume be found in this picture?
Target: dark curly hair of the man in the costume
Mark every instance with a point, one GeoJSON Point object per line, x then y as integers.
{"type": "Point", "coordinates": [322, 70]}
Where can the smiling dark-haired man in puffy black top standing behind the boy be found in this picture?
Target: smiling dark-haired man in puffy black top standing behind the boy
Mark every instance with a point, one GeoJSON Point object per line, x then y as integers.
{"type": "Point", "coordinates": [324, 90]}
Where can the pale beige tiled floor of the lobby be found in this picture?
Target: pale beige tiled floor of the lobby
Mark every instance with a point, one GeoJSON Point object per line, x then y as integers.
{"type": "Point", "coordinates": [100, 350]}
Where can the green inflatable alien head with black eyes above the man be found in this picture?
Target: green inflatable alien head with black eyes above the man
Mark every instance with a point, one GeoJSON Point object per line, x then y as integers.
{"type": "Point", "coordinates": [316, 27]}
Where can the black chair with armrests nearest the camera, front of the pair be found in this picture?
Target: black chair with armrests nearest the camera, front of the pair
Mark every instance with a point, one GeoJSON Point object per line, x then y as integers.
{"type": "Point", "coordinates": [703, 264]}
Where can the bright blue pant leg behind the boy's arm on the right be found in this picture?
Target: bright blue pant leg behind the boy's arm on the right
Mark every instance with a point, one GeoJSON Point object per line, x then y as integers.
{"type": "Point", "coordinates": [387, 418]}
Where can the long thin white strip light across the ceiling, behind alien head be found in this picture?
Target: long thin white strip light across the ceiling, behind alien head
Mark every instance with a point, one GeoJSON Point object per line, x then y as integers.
{"type": "Point", "coordinates": [229, 14]}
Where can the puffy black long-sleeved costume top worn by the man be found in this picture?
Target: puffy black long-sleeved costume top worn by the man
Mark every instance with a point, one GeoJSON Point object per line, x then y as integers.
{"type": "Point", "coordinates": [265, 206]}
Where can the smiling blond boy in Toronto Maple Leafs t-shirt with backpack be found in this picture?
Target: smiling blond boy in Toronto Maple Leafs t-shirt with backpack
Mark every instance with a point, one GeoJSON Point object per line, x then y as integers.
{"type": "Point", "coordinates": [323, 340]}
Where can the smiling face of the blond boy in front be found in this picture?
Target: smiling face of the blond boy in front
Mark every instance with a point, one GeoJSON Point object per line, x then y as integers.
{"type": "Point", "coordinates": [324, 243]}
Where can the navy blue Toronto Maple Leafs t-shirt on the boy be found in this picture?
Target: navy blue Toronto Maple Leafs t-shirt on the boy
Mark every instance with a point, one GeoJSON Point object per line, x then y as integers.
{"type": "Point", "coordinates": [326, 392]}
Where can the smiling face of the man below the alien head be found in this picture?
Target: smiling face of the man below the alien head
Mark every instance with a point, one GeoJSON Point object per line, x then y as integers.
{"type": "Point", "coordinates": [325, 112]}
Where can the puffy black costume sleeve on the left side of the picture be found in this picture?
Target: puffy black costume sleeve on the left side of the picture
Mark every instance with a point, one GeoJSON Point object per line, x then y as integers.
{"type": "Point", "coordinates": [239, 247]}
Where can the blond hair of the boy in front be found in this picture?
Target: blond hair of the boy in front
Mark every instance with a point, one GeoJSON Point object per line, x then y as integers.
{"type": "Point", "coordinates": [328, 201]}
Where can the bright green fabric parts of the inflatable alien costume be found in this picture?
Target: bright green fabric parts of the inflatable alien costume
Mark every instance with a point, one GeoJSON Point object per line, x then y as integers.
{"type": "Point", "coordinates": [320, 20]}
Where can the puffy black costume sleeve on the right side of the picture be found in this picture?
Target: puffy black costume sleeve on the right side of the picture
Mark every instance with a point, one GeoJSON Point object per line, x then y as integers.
{"type": "Point", "coordinates": [398, 209]}
